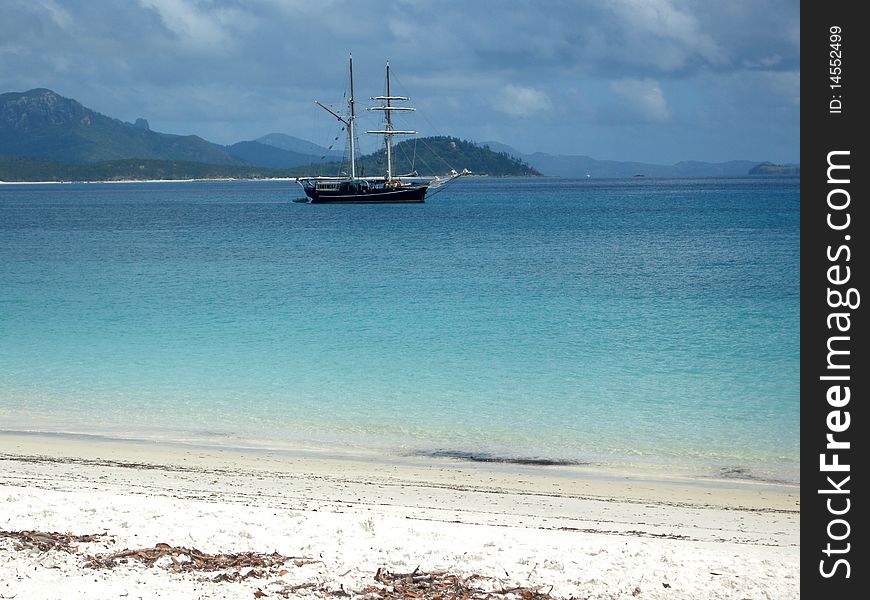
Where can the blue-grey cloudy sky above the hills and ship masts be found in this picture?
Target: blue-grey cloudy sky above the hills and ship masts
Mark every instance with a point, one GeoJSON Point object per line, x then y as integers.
{"type": "Point", "coordinates": [650, 80]}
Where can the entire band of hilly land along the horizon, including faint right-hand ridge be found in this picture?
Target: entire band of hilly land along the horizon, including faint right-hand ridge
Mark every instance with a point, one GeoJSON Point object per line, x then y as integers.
{"type": "Point", "coordinates": [47, 137]}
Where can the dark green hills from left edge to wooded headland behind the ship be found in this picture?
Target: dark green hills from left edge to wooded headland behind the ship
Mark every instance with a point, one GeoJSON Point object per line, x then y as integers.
{"type": "Point", "coordinates": [46, 136]}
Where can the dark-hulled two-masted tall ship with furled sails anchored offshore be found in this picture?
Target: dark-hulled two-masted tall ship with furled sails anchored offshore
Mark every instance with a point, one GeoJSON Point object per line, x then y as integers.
{"type": "Point", "coordinates": [351, 188]}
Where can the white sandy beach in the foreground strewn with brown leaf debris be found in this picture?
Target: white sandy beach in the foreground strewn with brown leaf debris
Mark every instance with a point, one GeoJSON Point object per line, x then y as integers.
{"type": "Point", "coordinates": [577, 532]}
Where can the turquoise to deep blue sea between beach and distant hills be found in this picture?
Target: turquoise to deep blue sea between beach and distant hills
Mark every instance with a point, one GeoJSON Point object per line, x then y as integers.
{"type": "Point", "coordinates": [638, 322]}
